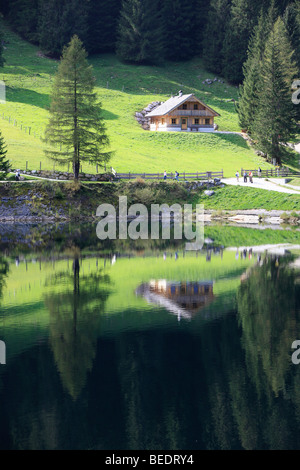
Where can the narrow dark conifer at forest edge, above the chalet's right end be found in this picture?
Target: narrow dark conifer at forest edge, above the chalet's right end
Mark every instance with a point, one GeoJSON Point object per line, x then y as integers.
{"type": "Point", "coordinates": [214, 35]}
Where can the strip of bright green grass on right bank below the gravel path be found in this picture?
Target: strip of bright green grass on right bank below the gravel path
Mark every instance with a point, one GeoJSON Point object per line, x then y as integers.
{"type": "Point", "coordinates": [236, 197]}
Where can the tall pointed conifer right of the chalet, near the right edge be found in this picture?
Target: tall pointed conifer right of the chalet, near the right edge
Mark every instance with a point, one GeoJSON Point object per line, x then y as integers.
{"type": "Point", "coordinates": [275, 119]}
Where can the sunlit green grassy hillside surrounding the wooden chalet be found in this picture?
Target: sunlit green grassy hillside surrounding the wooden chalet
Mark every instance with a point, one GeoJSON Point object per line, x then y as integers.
{"type": "Point", "coordinates": [123, 89]}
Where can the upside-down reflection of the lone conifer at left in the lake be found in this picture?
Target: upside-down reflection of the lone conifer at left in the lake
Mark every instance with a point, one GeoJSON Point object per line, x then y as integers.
{"type": "Point", "coordinates": [75, 315]}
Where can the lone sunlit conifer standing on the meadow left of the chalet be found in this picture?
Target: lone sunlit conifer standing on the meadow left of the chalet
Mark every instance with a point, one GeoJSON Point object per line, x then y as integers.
{"type": "Point", "coordinates": [75, 123]}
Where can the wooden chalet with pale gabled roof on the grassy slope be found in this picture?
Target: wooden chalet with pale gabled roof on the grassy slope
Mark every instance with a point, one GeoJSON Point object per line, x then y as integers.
{"type": "Point", "coordinates": [183, 113]}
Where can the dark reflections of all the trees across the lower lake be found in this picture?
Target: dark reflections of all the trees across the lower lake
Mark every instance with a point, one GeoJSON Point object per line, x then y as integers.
{"type": "Point", "coordinates": [228, 385]}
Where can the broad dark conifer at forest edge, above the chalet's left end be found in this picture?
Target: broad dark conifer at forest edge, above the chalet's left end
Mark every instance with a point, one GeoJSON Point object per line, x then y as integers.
{"type": "Point", "coordinates": [140, 37]}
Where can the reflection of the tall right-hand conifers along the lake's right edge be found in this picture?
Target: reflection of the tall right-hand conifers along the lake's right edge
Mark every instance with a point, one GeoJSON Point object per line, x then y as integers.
{"type": "Point", "coordinates": [268, 312]}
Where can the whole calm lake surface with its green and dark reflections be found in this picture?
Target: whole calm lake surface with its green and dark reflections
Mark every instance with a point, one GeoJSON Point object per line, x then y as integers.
{"type": "Point", "coordinates": [149, 347]}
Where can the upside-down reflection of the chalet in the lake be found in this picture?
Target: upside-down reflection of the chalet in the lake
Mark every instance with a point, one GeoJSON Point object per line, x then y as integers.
{"type": "Point", "coordinates": [183, 299]}
